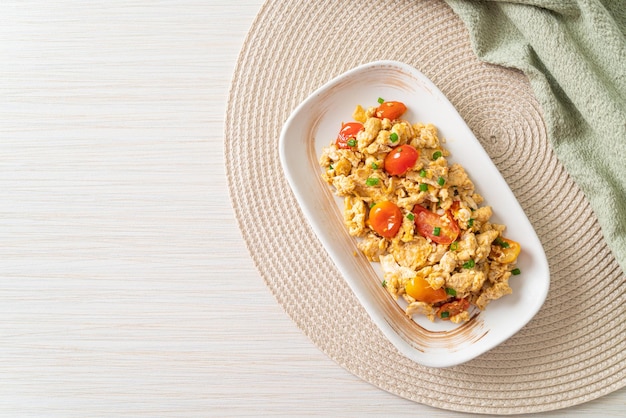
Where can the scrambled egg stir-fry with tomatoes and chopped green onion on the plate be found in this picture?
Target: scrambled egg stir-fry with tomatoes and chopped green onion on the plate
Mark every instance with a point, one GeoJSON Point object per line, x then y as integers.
{"type": "Point", "coordinates": [448, 243]}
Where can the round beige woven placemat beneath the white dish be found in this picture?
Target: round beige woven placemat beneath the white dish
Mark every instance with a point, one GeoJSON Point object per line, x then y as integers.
{"type": "Point", "coordinates": [575, 348]}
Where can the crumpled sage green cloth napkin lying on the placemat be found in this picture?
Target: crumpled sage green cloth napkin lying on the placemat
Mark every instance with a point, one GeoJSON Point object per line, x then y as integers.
{"type": "Point", "coordinates": [574, 55]}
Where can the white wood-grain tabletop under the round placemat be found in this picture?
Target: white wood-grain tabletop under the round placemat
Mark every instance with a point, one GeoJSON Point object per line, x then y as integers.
{"type": "Point", "coordinates": [126, 289]}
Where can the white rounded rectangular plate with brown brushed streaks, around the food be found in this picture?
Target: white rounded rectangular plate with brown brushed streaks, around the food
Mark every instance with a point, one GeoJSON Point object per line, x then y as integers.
{"type": "Point", "coordinates": [315, 124]}
